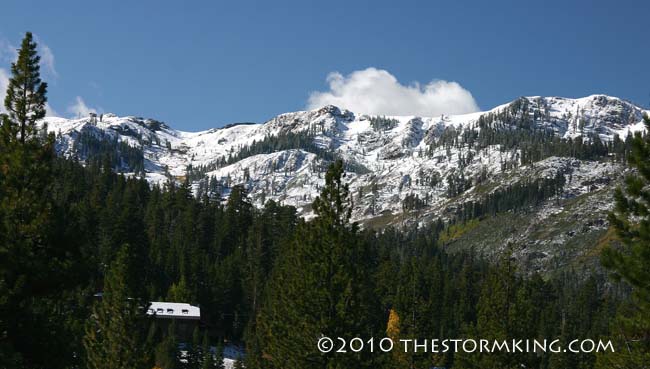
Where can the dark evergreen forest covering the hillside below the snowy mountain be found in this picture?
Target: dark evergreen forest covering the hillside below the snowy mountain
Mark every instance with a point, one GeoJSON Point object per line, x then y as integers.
{"type": "Point", "coordinates": [257, 275]}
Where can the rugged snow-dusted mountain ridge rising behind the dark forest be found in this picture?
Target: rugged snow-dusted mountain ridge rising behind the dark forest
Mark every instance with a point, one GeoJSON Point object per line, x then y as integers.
{"type": "Point", "coordinates": [401, 169]}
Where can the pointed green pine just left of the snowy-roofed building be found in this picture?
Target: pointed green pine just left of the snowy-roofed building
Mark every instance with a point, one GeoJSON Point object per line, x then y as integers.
{"type": "Point", "coordinates": [114, 335]}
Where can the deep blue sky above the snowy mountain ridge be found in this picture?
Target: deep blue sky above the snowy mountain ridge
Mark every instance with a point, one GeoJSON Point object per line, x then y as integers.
{"type": "Point", "coordinates": [198, 65]}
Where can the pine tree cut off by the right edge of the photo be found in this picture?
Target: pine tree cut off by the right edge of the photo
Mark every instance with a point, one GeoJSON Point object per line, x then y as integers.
{"type": "Point", "coordinates": [631, 220]}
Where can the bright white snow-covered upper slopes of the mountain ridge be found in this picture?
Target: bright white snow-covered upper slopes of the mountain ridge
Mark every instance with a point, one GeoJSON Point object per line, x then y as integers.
{"type": "Point", "coordinates": [384, 165]}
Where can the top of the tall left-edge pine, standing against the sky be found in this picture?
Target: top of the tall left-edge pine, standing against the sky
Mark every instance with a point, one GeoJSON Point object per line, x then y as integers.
{"type": "Point", "coordinates": [25, 99]}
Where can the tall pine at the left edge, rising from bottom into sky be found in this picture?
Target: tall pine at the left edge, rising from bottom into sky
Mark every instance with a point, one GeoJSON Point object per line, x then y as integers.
{"type": "Point", "coordinates": [34, 263]}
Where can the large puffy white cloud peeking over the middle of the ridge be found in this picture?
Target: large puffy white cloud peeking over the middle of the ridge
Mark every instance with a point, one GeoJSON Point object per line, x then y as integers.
{"type": "Point", "coordinates": [376, 91]}
